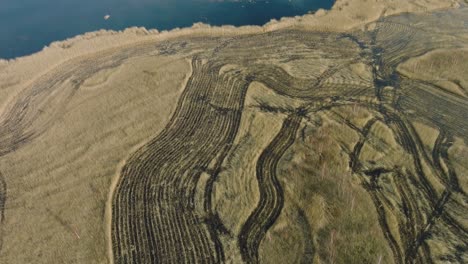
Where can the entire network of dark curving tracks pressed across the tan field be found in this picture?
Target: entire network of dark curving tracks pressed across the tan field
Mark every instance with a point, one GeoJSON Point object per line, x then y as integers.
{"type": "Point", "coordinates": [154, 217]}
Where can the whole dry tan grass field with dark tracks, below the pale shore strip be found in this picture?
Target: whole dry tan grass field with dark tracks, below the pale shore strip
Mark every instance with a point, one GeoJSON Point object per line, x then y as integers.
{"type": "Point", "coordinates": [284, 146]}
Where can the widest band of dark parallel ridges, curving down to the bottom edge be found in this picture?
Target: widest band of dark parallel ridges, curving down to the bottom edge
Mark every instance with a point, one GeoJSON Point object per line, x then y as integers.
{"type": "Point", "coordinates": [154, 218]}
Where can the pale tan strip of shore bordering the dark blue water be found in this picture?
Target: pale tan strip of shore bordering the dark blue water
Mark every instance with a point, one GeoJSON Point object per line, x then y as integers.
{"type": "Point", "coordinates": [345, 15]}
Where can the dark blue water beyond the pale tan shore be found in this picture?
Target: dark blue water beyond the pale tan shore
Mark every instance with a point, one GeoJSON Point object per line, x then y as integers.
{"type": "Point", "coordinates": [26, 26]}
